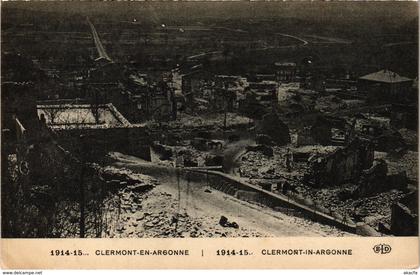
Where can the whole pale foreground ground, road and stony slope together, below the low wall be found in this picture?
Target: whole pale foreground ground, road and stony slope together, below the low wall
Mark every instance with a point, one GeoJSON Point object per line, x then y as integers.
{"type": "Point", "coordinates": [194, 210]}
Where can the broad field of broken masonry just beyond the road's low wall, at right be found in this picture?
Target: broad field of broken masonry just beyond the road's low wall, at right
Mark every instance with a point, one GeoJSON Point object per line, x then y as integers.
{"type": "Point", "coordinates": [341, 202]}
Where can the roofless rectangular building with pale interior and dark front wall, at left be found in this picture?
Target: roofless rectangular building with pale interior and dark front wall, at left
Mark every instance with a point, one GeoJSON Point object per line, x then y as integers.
{"type": "Point", "coordinates": [98, 129]}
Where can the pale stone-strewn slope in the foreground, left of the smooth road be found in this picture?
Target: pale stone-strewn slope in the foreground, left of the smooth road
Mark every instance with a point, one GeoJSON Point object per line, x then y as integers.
{"type": "Point", "coordinates": [157, 214]}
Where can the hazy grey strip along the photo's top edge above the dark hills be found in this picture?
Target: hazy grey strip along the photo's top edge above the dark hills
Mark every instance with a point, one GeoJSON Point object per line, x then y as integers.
{"type": "Point", "coordinates": [322, 12]}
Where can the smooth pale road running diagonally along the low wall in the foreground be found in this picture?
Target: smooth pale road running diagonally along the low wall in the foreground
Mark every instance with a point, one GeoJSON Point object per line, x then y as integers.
{"type": "Point", "coordinates": [197, 203]}
